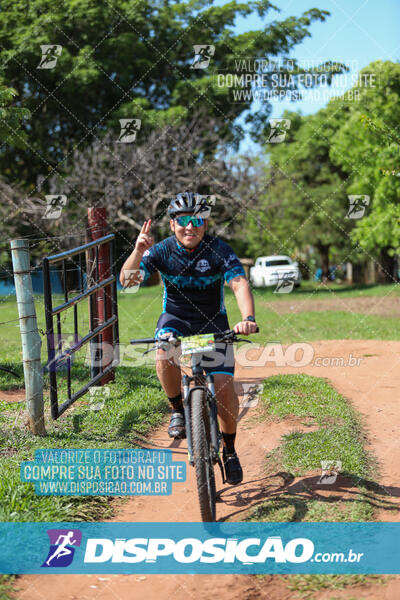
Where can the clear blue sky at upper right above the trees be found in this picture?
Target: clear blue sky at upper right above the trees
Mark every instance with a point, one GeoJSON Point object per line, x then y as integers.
{"type": "Point", "coordinates": [357, 31]}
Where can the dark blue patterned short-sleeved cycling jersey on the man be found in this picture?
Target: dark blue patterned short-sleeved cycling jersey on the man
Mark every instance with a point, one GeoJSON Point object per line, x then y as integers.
{"type": "Point", "coordinates": [193, 280]}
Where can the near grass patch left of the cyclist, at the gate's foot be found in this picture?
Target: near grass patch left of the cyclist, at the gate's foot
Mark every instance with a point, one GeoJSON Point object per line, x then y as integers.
{"type": "Point", "coordinates": [136, 404]}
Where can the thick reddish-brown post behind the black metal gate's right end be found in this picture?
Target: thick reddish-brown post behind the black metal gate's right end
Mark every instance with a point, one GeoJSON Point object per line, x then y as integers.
{"type": "Point", "coordinates": [97, 228]}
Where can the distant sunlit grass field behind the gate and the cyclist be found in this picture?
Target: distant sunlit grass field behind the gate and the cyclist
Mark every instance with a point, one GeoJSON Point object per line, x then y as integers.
{"type": "Point", "coordinates": [138, 315]}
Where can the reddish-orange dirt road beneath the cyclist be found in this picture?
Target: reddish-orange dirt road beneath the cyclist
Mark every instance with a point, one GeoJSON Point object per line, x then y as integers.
{"type": "Point", "coordinates": [372, 387]}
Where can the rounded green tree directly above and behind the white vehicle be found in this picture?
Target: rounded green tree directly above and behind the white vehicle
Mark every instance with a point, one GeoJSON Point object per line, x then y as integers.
{"type": "Point", "coordinates": [305, 200]}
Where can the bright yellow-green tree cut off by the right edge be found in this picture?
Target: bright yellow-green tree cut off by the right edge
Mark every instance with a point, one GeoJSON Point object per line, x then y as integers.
{"type": "Point", "coordinates": [367, 148]}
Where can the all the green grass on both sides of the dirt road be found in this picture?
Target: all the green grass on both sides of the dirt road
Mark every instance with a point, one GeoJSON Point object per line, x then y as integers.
{"type": "Point", "coordinates": [137, 404]}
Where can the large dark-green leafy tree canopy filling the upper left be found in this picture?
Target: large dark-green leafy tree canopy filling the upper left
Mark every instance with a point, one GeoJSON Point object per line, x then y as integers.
{"type": "Point", "coordinates": [125, 59]}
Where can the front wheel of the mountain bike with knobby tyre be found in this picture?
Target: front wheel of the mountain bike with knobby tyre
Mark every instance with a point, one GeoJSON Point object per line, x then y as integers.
{"type": "Point", "coordinates": [201, 441]}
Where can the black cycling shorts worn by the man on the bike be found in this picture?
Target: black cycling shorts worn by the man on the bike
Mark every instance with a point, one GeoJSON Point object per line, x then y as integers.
{"type": "Point", "coordinates": [222, 360]}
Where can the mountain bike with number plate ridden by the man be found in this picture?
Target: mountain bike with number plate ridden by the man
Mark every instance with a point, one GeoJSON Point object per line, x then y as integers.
{"type": "Point", "coordinates": [201, 414]}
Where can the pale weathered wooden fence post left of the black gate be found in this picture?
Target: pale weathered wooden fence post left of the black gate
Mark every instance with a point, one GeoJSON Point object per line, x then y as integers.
{"type": "Point", "coordinates": [31, 342]}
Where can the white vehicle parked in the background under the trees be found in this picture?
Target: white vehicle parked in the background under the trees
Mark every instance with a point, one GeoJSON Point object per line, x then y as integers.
{"type": "Point", "coordinates": [269, 270]}
